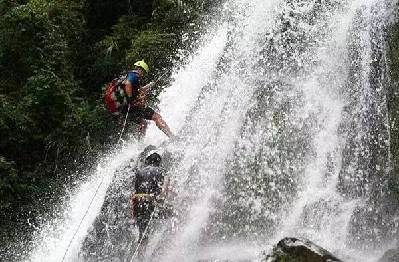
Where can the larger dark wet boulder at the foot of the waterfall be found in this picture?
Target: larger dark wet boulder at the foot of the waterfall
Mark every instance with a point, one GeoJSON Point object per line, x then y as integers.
{"type": "Point", "coordinates": [299, 250]}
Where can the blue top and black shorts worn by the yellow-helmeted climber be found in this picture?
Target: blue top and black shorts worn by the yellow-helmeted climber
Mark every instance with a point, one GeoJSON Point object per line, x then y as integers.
{"type": "Point", "coordinates": [138, 112]}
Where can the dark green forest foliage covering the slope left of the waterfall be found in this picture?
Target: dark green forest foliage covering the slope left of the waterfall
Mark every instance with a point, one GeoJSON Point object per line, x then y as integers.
{"type": "Point", "coordinates": [55, 55]}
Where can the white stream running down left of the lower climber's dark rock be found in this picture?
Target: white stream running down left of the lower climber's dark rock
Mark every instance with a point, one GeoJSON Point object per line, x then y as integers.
{"type": "Point", "coordinates": [53, 240]}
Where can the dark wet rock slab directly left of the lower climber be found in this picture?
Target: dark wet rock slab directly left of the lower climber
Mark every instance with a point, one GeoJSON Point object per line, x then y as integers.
{"type": "Point", "coordinates": [113, 230]}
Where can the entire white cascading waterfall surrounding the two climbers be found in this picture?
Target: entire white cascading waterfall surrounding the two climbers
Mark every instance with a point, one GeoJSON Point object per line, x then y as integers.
{"type": "Point", "coordinates": [282, 131]}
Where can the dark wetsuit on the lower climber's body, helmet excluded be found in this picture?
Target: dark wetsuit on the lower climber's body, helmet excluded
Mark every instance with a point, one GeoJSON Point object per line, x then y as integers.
{"type": "Point", "coordinates": [148, 186]}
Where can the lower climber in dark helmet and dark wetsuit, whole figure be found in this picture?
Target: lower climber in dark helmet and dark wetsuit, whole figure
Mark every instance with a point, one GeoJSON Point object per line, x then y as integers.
{"type": "Point", "coordinates": [151, 188]}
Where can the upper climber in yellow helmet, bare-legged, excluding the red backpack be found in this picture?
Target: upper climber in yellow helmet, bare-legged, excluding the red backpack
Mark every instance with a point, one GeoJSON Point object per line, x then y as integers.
{"type": "Point", "coordinates": [136, 94]}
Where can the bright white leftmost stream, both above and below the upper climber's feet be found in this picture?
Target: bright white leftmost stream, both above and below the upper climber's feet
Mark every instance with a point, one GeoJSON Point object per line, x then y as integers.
{"type": "Point", "coordinates": [53, 239]}
